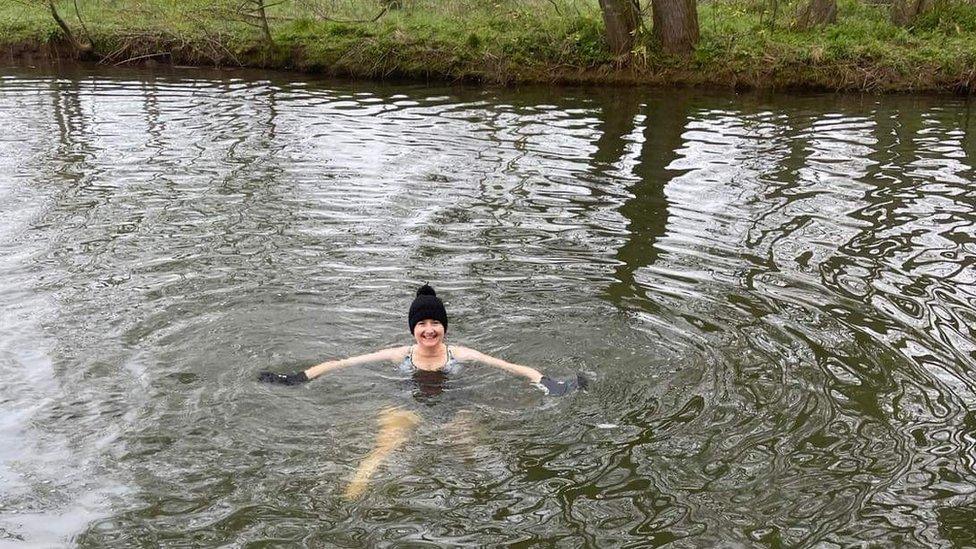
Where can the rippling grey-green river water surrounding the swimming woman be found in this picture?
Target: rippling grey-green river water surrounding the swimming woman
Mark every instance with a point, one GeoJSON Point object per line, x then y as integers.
{"type": "Point", "coordinates": [774, 295]}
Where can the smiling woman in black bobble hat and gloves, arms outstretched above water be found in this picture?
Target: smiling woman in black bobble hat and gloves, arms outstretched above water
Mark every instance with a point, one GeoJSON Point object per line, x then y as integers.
{"type": "Point", "coordinates": [429, 353]}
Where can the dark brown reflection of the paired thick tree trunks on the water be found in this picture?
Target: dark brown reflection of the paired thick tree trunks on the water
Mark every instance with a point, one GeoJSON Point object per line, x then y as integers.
{"type": "Point", "coordinates": [646, 212]}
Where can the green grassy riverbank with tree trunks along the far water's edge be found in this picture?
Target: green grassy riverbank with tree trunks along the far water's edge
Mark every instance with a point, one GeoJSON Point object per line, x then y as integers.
{"type": "Point", "coordinates": [743, 43]}
